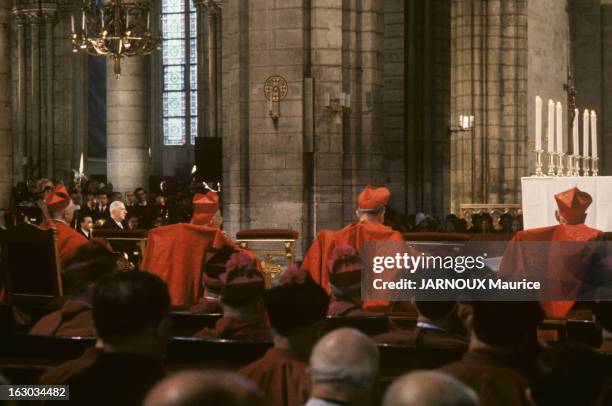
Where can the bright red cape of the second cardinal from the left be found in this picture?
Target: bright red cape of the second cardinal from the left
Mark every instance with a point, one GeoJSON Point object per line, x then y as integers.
{"type": "Point", "coordinates": [176, 254]}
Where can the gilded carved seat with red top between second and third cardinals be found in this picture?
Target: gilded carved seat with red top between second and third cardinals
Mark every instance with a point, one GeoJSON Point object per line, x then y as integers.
{"type": "Point", "coordinates": [275, 242]}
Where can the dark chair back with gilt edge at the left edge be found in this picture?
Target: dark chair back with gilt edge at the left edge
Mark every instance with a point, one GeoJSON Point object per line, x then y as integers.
{"type": "Point", "coordinates": [30, 265]}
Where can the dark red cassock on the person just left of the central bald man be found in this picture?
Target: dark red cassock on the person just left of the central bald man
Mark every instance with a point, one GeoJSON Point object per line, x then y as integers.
{"type": "Point", "coordinates": [281, 376]}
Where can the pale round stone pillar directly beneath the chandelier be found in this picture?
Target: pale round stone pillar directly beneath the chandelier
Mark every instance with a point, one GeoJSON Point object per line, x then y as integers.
{"type": "Point", "coordinates": [126, 112]}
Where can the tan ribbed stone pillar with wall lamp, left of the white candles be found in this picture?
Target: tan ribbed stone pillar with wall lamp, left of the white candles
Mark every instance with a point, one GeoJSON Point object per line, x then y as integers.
{"type": "Point", "coordinates": [488, 80]}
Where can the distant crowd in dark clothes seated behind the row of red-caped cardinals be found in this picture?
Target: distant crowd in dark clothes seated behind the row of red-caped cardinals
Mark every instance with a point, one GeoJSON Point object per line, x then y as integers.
{"type": "Point", "coordinates": [171, 203]}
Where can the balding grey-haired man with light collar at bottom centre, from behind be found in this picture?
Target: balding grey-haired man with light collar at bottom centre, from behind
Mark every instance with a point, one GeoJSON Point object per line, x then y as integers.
{"type": "Point", "coordinates": [344, 369]}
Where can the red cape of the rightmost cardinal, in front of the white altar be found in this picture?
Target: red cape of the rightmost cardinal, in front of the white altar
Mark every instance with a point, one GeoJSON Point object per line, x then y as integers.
{"type": "Point", "coordinates": [565, 265]}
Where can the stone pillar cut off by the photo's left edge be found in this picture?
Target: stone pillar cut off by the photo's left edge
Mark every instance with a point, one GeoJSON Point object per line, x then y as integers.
{"type": "Point", "coordinates": [6, 153]}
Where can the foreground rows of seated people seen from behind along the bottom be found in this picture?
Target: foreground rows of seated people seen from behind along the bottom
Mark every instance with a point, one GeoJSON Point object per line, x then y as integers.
{"type": "Point", "coordinates": [504, 363]}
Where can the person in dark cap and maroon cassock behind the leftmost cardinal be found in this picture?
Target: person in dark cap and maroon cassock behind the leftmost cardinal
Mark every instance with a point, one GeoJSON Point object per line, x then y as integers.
{"type": "Point", "coordinates": [91, 262]}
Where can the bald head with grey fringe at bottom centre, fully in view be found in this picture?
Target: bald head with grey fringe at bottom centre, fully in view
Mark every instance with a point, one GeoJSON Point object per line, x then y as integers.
{"type": "Point", "coordinates": [345, 356]}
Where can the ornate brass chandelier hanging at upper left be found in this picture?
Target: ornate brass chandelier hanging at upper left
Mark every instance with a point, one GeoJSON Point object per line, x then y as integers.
{"type": "Point", "coordinates": [114, 28]}
